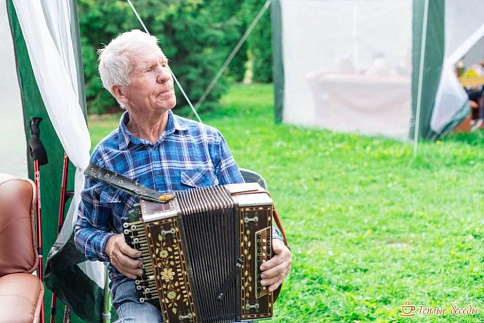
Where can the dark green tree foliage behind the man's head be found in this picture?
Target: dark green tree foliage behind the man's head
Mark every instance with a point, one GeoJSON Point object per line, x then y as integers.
{"type": "Point", "coordinates": [196, 36]}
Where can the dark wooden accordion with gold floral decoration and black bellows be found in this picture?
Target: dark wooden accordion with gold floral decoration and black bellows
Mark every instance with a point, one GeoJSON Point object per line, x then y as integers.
{"type": "Point", "coordinates": [202, 253]}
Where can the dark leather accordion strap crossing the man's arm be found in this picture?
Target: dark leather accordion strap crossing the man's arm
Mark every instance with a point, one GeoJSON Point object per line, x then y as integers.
{"type": "Point", "coordinates": [127, 185]}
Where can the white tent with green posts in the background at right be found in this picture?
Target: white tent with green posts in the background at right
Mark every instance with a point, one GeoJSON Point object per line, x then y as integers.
{"type": "Point", "coordinates": [378, 67]}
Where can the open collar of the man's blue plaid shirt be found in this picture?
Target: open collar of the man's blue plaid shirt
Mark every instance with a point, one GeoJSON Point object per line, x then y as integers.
{"type": "Point", "coordinates": [174, 123]}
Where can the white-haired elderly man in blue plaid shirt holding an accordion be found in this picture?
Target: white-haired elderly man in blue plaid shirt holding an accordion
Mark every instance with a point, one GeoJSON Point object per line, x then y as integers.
{"type": "Point", "coordinates": [159, 150]}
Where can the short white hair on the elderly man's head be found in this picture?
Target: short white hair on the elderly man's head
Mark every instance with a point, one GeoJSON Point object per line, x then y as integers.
{"type": "Point", "coordinates": [114, 65]}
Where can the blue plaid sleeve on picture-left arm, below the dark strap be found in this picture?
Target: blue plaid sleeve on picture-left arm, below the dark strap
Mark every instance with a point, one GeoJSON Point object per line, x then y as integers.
{"type": "Point", "coordinates": [92, 230]}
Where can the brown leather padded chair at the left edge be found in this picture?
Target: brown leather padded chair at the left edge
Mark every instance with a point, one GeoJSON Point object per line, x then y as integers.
{"type": "Point", "coordinates": [21, 293]}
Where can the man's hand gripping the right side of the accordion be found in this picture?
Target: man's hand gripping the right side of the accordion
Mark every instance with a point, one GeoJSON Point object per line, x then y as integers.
{"type": "Point", "coordinates": [277, 268]}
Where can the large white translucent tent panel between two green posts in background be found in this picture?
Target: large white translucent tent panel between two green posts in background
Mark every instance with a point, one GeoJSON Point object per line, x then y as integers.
{"type": "Point", "coordinates": [347, 65]}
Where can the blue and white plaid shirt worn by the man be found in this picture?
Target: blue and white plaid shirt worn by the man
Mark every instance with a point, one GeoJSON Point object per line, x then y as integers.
{"type": "Point", "coordinates": [188, 154]}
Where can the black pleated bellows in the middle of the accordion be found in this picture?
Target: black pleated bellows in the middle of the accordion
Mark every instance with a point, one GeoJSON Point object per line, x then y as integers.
{"type": "Point", "coordinates": [209, 225]}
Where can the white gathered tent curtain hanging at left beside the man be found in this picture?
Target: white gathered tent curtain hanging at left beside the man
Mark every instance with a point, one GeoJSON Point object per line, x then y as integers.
{"type": "Point", "coordinates": [55, 73]}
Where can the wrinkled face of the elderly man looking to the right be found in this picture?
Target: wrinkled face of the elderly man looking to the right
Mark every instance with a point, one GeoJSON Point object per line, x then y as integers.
{"type": "Point", "coordinates": [151, 85]}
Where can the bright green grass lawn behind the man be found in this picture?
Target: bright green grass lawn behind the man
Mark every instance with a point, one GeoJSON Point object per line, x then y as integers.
{"type": "Point", "coordinates": [369, 226]}
